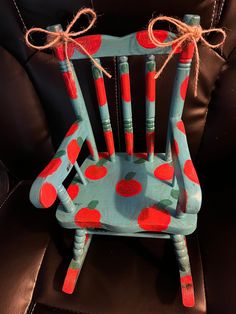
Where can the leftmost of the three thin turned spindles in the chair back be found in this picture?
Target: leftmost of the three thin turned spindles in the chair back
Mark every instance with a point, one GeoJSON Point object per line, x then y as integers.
{"type": "Point", "coordinates": [103, 108]}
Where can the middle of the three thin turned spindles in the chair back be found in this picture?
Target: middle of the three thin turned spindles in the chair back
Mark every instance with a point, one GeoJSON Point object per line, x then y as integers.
{"type": "Point", "coordinates": [126, 104]}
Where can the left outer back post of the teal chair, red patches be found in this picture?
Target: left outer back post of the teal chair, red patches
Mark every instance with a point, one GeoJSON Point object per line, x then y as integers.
{"type": "Point", "coordinates": [74, 91]}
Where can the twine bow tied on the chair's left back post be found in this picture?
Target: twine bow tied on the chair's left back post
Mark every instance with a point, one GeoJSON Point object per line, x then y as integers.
{"type": "Point", "coordinates": [64, 37]}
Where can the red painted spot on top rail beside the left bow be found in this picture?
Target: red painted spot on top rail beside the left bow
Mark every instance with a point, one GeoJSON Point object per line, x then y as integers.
{"type": "Point", "coordinates": [91, 43]}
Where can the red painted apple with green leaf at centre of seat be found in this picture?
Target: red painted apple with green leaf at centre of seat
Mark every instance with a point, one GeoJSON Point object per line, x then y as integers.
{"type": "Point", "coordinates": [128, 186]}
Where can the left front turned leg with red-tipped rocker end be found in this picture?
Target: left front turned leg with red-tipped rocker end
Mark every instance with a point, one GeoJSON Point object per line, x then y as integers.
{"type": "Point", "coordinates": [81, 244]}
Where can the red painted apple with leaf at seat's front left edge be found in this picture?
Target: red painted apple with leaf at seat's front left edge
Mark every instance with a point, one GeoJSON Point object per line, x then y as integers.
{"type": "Point", "coordinates": [88, 217]}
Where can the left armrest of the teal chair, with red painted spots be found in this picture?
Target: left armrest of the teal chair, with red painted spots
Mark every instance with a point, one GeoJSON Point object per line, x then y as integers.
{"type": "Point", "coordinates": [44, 190]}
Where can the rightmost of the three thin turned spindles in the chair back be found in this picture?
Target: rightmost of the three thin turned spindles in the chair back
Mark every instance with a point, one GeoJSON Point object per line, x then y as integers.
{"type": "Point", "coordinates": [150, 67]}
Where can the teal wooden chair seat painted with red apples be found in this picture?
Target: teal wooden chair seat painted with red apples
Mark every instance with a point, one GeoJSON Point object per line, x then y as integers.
{"type": "Point", "coordinates": [127, 195]}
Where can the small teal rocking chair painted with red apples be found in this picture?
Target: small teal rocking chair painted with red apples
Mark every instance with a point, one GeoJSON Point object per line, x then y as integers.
{"type": "Point", "coordinates": [124, 194]}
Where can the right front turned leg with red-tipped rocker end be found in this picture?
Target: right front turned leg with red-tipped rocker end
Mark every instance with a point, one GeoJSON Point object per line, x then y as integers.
{"type": "Point", "coordinates": [186, 280]}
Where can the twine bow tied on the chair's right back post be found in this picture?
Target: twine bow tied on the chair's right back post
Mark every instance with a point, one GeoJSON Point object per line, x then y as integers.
{"type": "Point", "coordinates": [187, 33]}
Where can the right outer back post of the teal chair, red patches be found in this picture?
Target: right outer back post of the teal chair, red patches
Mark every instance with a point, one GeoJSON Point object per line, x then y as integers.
{"type": "Point", "coordinates": [181, 82]}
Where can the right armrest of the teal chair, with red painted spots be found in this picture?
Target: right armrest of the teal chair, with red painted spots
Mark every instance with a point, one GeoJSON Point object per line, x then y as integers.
{"type": "Point", "coordinates": [190, 197]}
